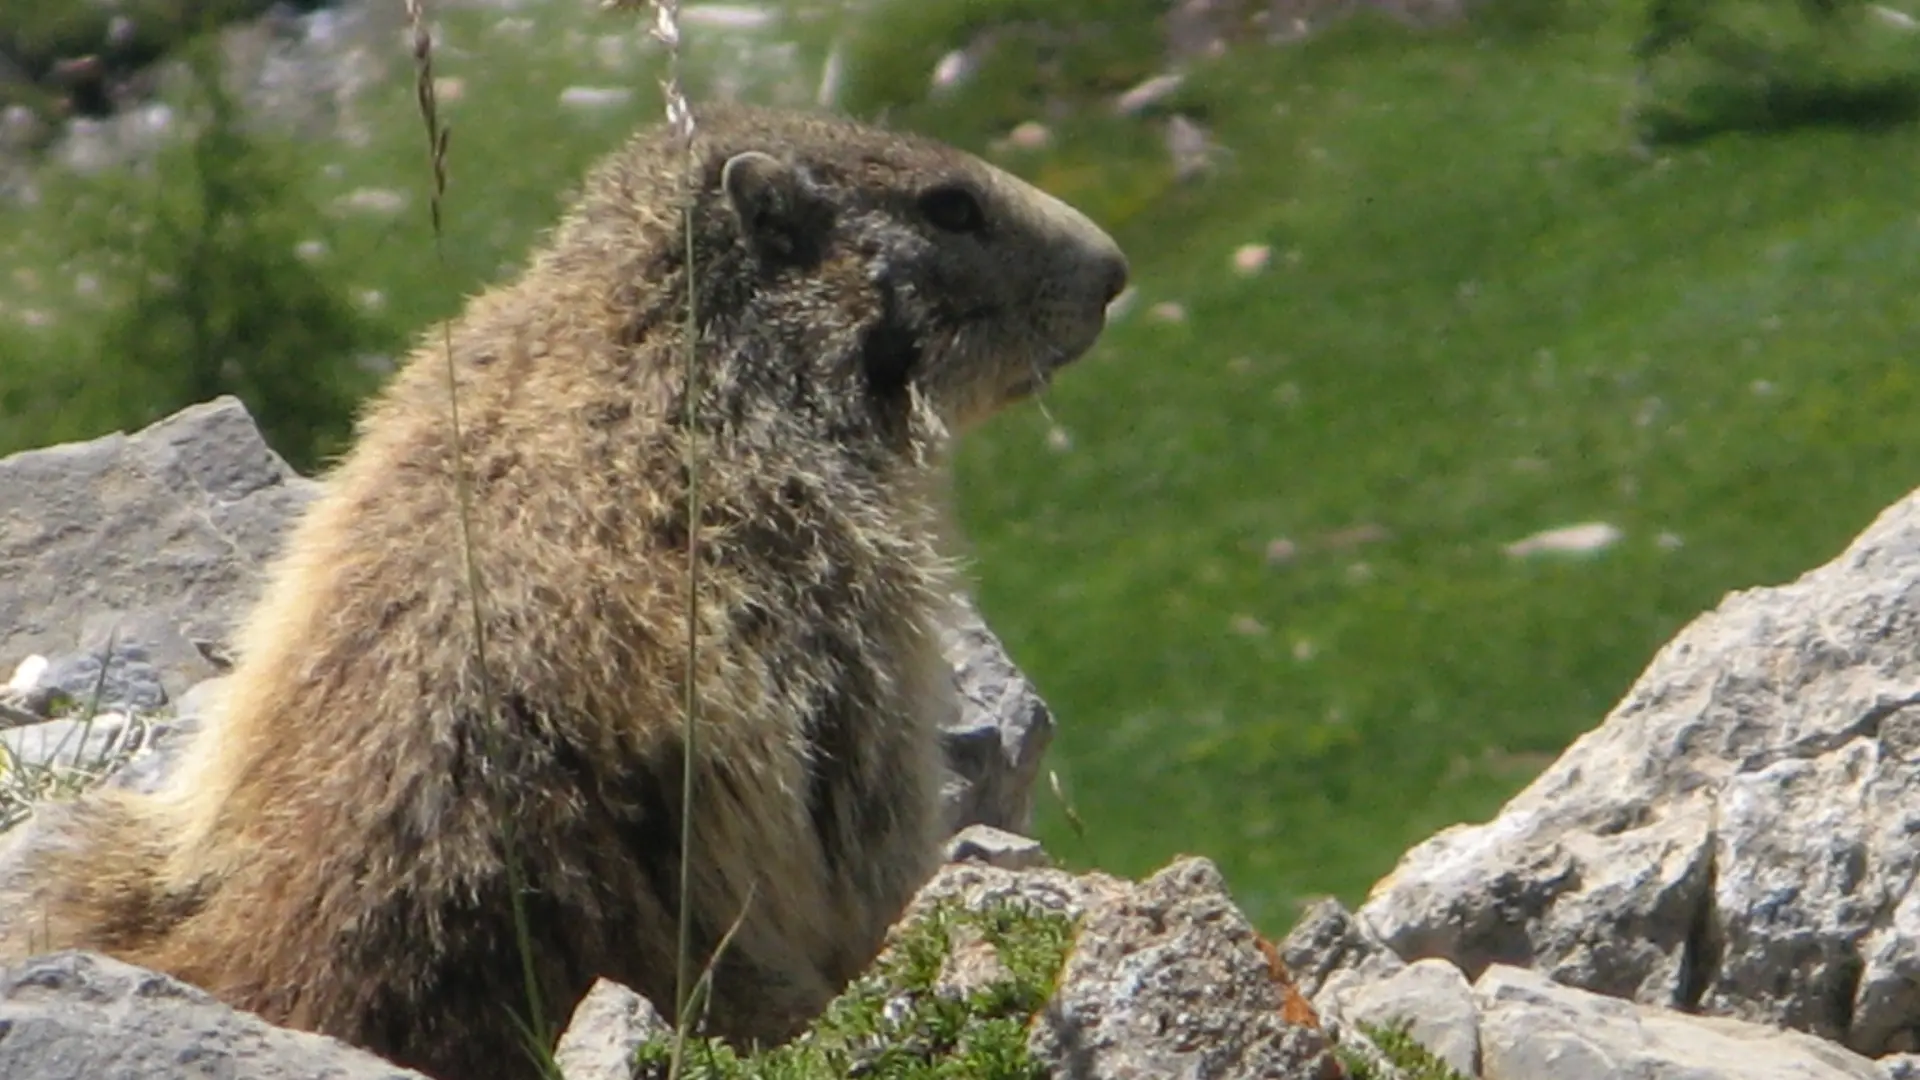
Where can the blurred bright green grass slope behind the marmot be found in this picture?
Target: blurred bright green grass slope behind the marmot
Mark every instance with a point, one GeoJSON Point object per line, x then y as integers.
{"type": "Point", "coordinates": [1487, 314]}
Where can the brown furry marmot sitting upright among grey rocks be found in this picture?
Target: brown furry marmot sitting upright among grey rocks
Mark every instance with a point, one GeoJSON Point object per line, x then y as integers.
{"type": "Point", "coordinates": [335, 854]}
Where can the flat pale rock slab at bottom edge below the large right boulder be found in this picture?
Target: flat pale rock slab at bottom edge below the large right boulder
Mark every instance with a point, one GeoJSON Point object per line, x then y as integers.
{"type": "Point", "coordinates": [1535, 1029]}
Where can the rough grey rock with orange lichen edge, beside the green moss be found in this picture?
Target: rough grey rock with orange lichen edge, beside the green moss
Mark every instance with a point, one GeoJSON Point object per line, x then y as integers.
{"type": "Point", "coordinates": [1166, 977]}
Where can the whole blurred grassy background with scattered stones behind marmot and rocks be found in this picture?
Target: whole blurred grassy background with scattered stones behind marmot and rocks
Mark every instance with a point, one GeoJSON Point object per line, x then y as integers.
{"type": "Point", "coordinates": [1474, 347]}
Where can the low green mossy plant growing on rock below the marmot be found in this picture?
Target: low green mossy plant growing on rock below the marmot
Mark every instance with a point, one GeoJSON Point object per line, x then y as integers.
{"type": "Point", "coordinates": [928, 1037]}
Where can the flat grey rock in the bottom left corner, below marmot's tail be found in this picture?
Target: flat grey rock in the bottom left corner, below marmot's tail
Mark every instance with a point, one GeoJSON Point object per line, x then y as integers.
{"type": "Point", "coordinates": [72, 1016]}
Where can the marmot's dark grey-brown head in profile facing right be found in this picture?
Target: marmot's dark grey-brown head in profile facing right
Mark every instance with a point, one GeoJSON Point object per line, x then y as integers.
{"type": "Point", "coordinates": [869, 280]}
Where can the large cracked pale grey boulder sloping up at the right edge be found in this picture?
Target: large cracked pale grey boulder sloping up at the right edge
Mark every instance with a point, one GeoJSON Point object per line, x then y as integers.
{"type": "Point", "coordinates": [1739, 837]}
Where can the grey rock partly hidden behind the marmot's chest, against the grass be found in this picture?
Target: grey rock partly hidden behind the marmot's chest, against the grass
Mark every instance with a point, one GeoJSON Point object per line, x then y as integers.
{"type": "Point", "coordinates": [999, 735]}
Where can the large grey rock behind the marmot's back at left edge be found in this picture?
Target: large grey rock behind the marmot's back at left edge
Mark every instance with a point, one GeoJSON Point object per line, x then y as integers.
{"type": "Point", "coordinates": [158, 539]}
